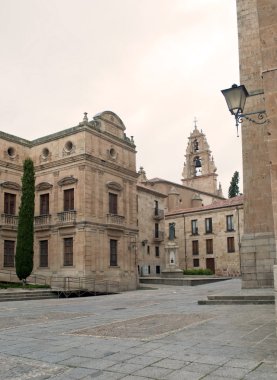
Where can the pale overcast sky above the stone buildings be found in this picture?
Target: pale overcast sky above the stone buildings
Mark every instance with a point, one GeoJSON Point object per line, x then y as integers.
{"type": "Point", "coordinates": [157, 64]}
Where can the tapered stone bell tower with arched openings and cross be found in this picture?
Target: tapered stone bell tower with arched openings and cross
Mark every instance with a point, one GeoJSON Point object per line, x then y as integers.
{"type": "Point", "coordinates": [199, 169]}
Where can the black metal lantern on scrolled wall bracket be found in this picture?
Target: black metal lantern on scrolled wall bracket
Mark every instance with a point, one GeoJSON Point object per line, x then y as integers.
{"type": "Point", "coordinates": [235, 98]}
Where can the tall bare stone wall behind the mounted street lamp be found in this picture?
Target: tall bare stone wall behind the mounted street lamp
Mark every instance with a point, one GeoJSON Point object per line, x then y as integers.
{"type": "Point", "coordinates": [257, 30]}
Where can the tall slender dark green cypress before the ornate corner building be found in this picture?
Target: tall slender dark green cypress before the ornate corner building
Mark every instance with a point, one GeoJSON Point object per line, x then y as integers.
{"type": "Point", "coordinates": [25, 233]}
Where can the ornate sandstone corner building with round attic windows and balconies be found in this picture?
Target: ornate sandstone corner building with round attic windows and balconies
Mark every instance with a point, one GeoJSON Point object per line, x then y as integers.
{"type": "Point", "coordinates": [85, 201]}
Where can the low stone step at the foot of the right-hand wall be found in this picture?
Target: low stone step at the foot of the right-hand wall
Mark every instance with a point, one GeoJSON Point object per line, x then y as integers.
{"type": "Point", "coordinates": [238, 300]}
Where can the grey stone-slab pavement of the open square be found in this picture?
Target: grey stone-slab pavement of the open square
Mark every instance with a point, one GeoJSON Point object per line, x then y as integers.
{"type": "Point", "coordinates": [159, 333]}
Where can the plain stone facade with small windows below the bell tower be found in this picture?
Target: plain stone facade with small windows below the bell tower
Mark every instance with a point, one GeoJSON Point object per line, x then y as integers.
{"type": "Point", "coordinates": [210, 236]}
